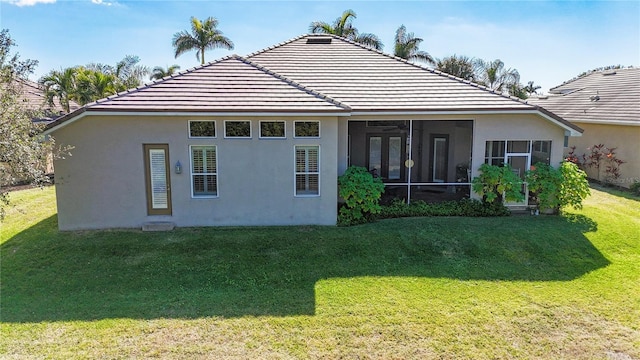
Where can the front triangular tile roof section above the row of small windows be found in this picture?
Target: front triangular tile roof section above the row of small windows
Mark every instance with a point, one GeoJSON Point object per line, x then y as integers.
{"type": "Point", "coordinates": [230, 84]}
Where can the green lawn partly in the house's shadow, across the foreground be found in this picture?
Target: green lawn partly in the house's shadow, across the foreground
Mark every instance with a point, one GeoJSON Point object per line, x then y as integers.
{"type": "Point", "coordinates": [515, 287]}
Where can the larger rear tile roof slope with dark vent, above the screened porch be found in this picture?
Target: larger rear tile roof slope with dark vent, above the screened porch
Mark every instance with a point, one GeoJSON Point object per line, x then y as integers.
{"type": "Point", "coordinates": [369, 80]}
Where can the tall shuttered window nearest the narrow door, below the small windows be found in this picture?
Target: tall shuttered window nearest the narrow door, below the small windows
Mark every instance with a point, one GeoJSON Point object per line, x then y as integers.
{"type": "Point", "coordinates": [204, 171]}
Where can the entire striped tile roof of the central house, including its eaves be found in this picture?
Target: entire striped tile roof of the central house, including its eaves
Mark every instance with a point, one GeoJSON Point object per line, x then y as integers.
{"type": "Point", "coordinates": [322, 74]}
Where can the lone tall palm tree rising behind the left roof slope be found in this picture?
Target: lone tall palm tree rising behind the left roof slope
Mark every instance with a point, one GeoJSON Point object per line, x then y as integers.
{"type": "Point", "coordinates": [204, 35]}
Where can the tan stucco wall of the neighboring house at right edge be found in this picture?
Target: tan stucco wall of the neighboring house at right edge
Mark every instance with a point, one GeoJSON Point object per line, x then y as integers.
{"type": "Point", "coordinates": [626, 140]}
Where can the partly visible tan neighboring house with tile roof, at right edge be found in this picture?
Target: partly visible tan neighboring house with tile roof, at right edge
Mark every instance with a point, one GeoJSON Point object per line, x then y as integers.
{"type": "Point", "coordinates": [606, 104]}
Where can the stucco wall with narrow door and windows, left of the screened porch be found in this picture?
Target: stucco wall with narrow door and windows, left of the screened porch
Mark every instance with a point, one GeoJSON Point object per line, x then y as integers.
{"type": "Point", "coordinates": [102, 185]}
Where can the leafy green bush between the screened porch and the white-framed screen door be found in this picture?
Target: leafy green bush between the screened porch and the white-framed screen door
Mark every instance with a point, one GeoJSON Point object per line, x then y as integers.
{"type": "Point", "coordinates": [497, 183]}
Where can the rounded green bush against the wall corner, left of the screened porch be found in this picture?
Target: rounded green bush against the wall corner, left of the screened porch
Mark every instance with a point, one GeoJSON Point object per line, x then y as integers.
{"type": "Point", "coordinates": [361, 193]}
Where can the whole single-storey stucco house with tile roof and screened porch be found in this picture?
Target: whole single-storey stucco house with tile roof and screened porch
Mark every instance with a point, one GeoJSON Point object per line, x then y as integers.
{"type": "Point", "coordinates": [261, 139]}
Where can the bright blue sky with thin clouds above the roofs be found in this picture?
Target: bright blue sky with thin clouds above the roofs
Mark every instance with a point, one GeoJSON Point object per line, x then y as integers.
{"type": "Point", "coordinates": [548, 42]}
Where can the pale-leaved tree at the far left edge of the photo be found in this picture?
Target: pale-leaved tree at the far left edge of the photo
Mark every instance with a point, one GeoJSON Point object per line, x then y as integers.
{"type": "Point", "coordinates": [23, 152]}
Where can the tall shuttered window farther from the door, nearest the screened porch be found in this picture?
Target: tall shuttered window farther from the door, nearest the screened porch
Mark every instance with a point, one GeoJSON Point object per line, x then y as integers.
{"type": "Point", "coordinates": [307, 170]}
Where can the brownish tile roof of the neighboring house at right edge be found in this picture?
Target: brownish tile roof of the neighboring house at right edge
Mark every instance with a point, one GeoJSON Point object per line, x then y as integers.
{"type": "Point", "coordinates": [607, 97]}
